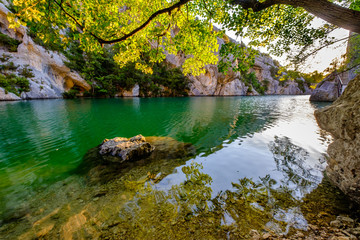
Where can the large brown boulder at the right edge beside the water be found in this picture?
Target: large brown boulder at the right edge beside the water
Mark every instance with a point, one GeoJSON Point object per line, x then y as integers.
{"type": "Point", "coordinates": [342, 120]}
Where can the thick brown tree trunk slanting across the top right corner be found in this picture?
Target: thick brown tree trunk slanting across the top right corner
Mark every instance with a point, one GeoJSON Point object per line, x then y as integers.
{"type": "Point", "coordinates": [330, 12]}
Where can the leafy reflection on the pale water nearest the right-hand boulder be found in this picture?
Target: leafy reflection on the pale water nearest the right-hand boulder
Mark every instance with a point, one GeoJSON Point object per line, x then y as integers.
{"type": "Point", "coordinates": [290, 160]}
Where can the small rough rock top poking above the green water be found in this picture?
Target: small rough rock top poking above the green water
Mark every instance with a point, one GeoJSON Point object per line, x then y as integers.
{"type": "Point", "coordinates": [125, 149]}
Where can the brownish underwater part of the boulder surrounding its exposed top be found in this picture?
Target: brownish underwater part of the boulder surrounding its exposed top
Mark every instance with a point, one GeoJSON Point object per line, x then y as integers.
{"type": "Point", "coordinates": [167, 154]}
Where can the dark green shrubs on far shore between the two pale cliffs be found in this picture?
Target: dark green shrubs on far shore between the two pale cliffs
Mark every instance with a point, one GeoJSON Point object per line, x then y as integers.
{"type": "Point", "coordinates": [107, 78]}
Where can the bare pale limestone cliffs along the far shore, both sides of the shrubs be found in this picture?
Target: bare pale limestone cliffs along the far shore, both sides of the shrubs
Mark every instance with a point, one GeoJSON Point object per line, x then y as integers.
{"type": "Point", "coordinates": [51, 77]}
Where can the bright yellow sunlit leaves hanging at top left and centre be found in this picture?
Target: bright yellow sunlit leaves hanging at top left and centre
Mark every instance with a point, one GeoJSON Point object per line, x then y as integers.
{"type": "Point", "coordinates": [90, 20]}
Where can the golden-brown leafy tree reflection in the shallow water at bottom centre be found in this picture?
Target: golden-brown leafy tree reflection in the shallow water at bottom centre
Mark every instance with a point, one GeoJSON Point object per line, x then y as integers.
{"type": "Point", "coordinates": [187, 210]}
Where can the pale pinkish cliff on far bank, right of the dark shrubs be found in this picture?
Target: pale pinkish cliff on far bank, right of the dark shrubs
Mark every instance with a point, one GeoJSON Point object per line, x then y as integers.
{"type": "Point", "coordinates": [215, 83]}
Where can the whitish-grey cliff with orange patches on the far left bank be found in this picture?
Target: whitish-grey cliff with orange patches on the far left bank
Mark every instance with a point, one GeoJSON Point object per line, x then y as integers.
{"type": "Point", "coordinates": [51, 77]}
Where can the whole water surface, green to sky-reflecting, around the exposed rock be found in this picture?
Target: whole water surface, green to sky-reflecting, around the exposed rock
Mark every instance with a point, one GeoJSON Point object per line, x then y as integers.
{"type": "Point", "coordinates": [225, 165]}
